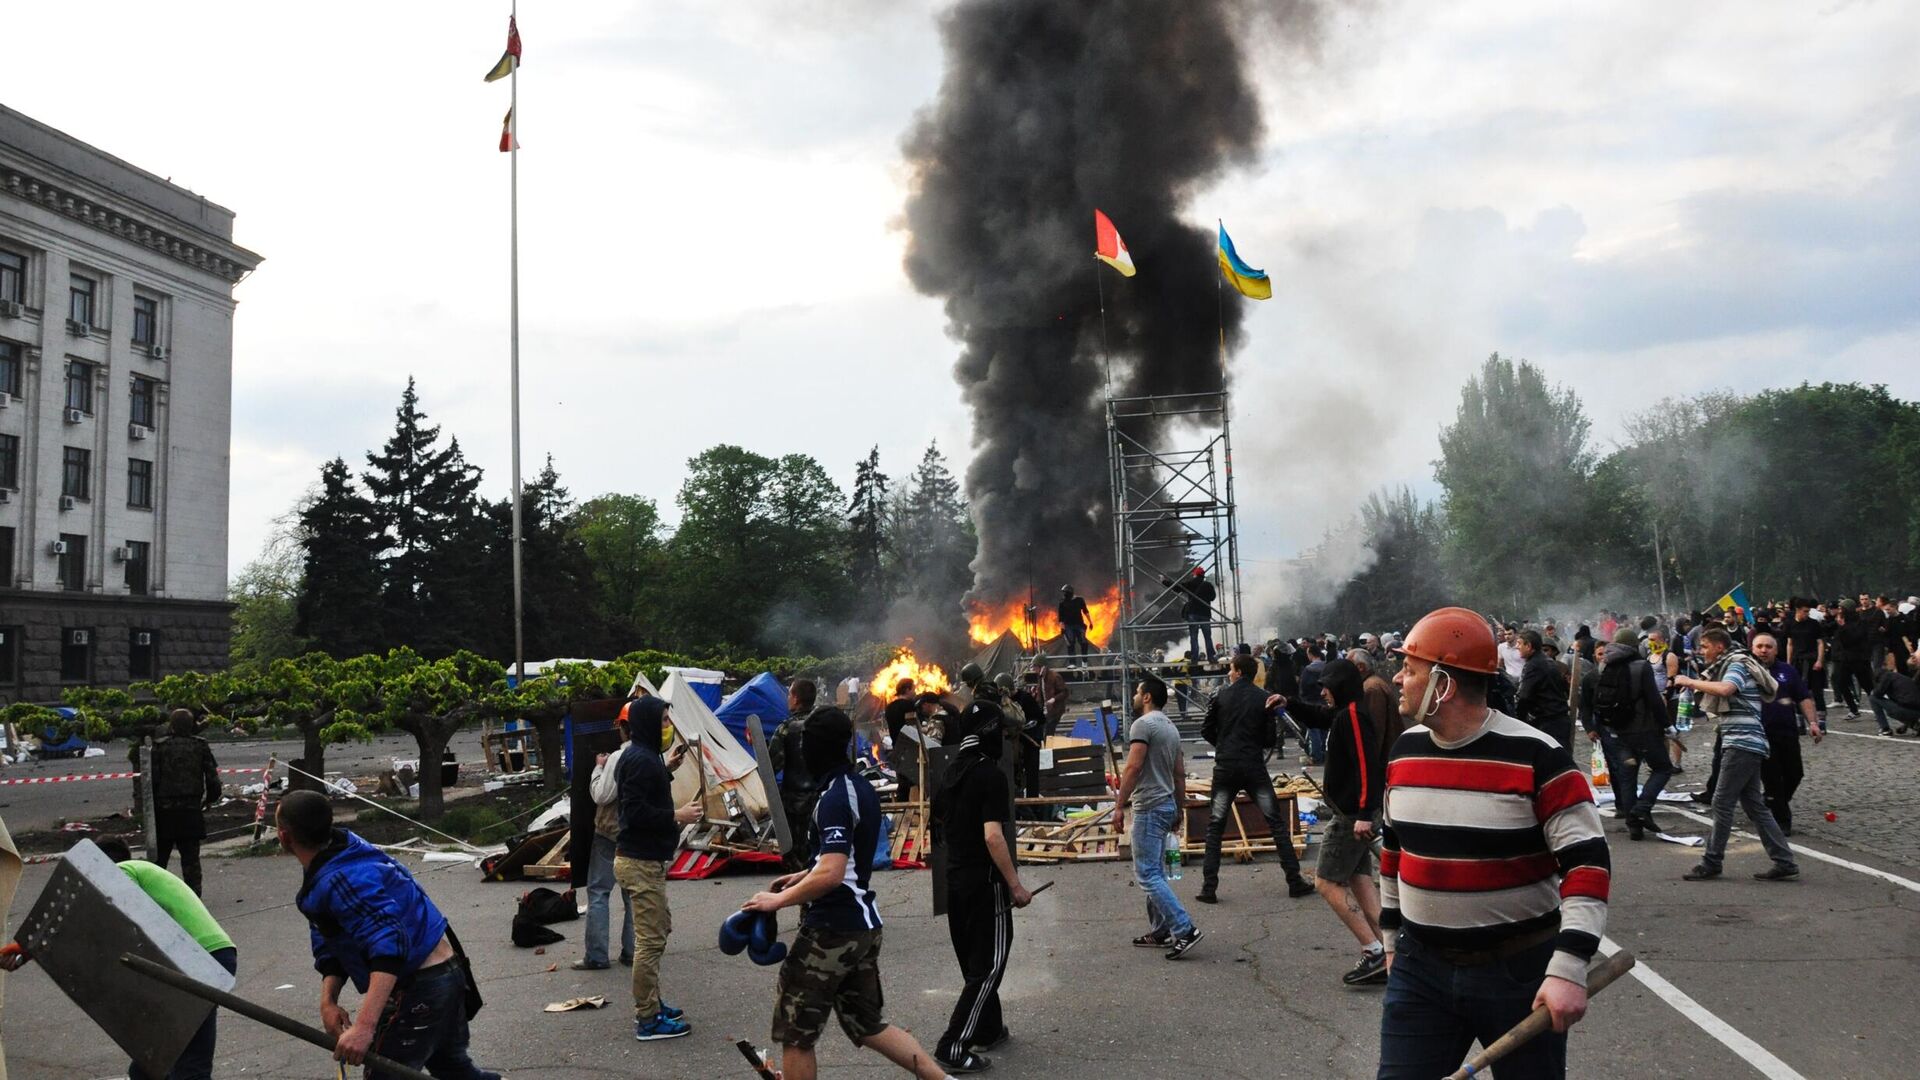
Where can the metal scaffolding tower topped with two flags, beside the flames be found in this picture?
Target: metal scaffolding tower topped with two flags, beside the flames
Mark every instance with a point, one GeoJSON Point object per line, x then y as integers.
{"type": "Point", "coordinates": [1174, 510]}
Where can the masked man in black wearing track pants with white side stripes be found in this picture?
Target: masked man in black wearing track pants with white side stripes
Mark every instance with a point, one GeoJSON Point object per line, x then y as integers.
{"type": "Point", "coordinates": [974, 823]}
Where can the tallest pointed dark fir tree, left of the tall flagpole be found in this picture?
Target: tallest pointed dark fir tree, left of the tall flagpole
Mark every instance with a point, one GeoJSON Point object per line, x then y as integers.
{"type": "Point", "coordinates": [423, 504]}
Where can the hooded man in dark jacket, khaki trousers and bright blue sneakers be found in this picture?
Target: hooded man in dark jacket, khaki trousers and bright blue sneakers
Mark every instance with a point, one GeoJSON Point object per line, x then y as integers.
{"type": "Point", "coordinates": [650, 831]}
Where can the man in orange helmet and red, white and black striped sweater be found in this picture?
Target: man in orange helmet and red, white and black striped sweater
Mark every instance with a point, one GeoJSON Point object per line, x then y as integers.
{"type": "Point", "coordinates": [1495, 877]}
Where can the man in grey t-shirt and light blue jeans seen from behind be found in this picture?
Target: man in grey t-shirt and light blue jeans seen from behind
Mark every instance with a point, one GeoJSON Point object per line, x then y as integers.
{"type": "Point", "coordinates": [1155, 783]}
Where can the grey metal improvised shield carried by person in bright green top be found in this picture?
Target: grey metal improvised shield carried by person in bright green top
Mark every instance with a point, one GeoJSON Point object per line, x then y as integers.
{"type": "Point", "coordinates": [87, 918]}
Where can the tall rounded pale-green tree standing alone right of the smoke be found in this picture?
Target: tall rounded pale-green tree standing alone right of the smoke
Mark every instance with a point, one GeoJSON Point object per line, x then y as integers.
{"type": "Point", "coordinates": [1516, 472]}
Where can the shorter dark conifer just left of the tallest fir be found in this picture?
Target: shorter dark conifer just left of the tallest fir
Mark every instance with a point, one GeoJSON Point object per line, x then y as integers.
{"type": "Point", "coordinates": [339, 608]}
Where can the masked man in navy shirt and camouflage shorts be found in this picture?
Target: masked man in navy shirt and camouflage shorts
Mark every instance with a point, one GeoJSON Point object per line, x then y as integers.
{"type": "Point", "coordinates": [834, 966]}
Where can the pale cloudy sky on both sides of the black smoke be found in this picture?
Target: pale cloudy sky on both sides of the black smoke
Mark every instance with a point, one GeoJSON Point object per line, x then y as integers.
{"type": "Point", "coordinates": [1644, 199]}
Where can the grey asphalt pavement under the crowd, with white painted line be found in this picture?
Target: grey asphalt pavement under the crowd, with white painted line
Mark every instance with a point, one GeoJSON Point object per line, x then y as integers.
{"type": "Point", "coordinates": [1742, 979]}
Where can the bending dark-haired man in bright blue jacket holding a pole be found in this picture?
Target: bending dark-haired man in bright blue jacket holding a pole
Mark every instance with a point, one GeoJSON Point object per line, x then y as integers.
{"type": "Point", "coordinates": [373, 925]}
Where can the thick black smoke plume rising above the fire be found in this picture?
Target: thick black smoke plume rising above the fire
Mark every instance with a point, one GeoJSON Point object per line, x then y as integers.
{"type": "Point", "coordinates": [1047, 110]}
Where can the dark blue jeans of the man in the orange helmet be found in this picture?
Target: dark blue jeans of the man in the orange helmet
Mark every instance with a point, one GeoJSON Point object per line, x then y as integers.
{"type": "Point", "coordinates": [1437, 1010]}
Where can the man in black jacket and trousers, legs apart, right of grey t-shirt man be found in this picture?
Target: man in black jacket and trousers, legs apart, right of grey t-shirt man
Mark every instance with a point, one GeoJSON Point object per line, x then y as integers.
{"type": "Point", "coordinates": [1241, 729]}
